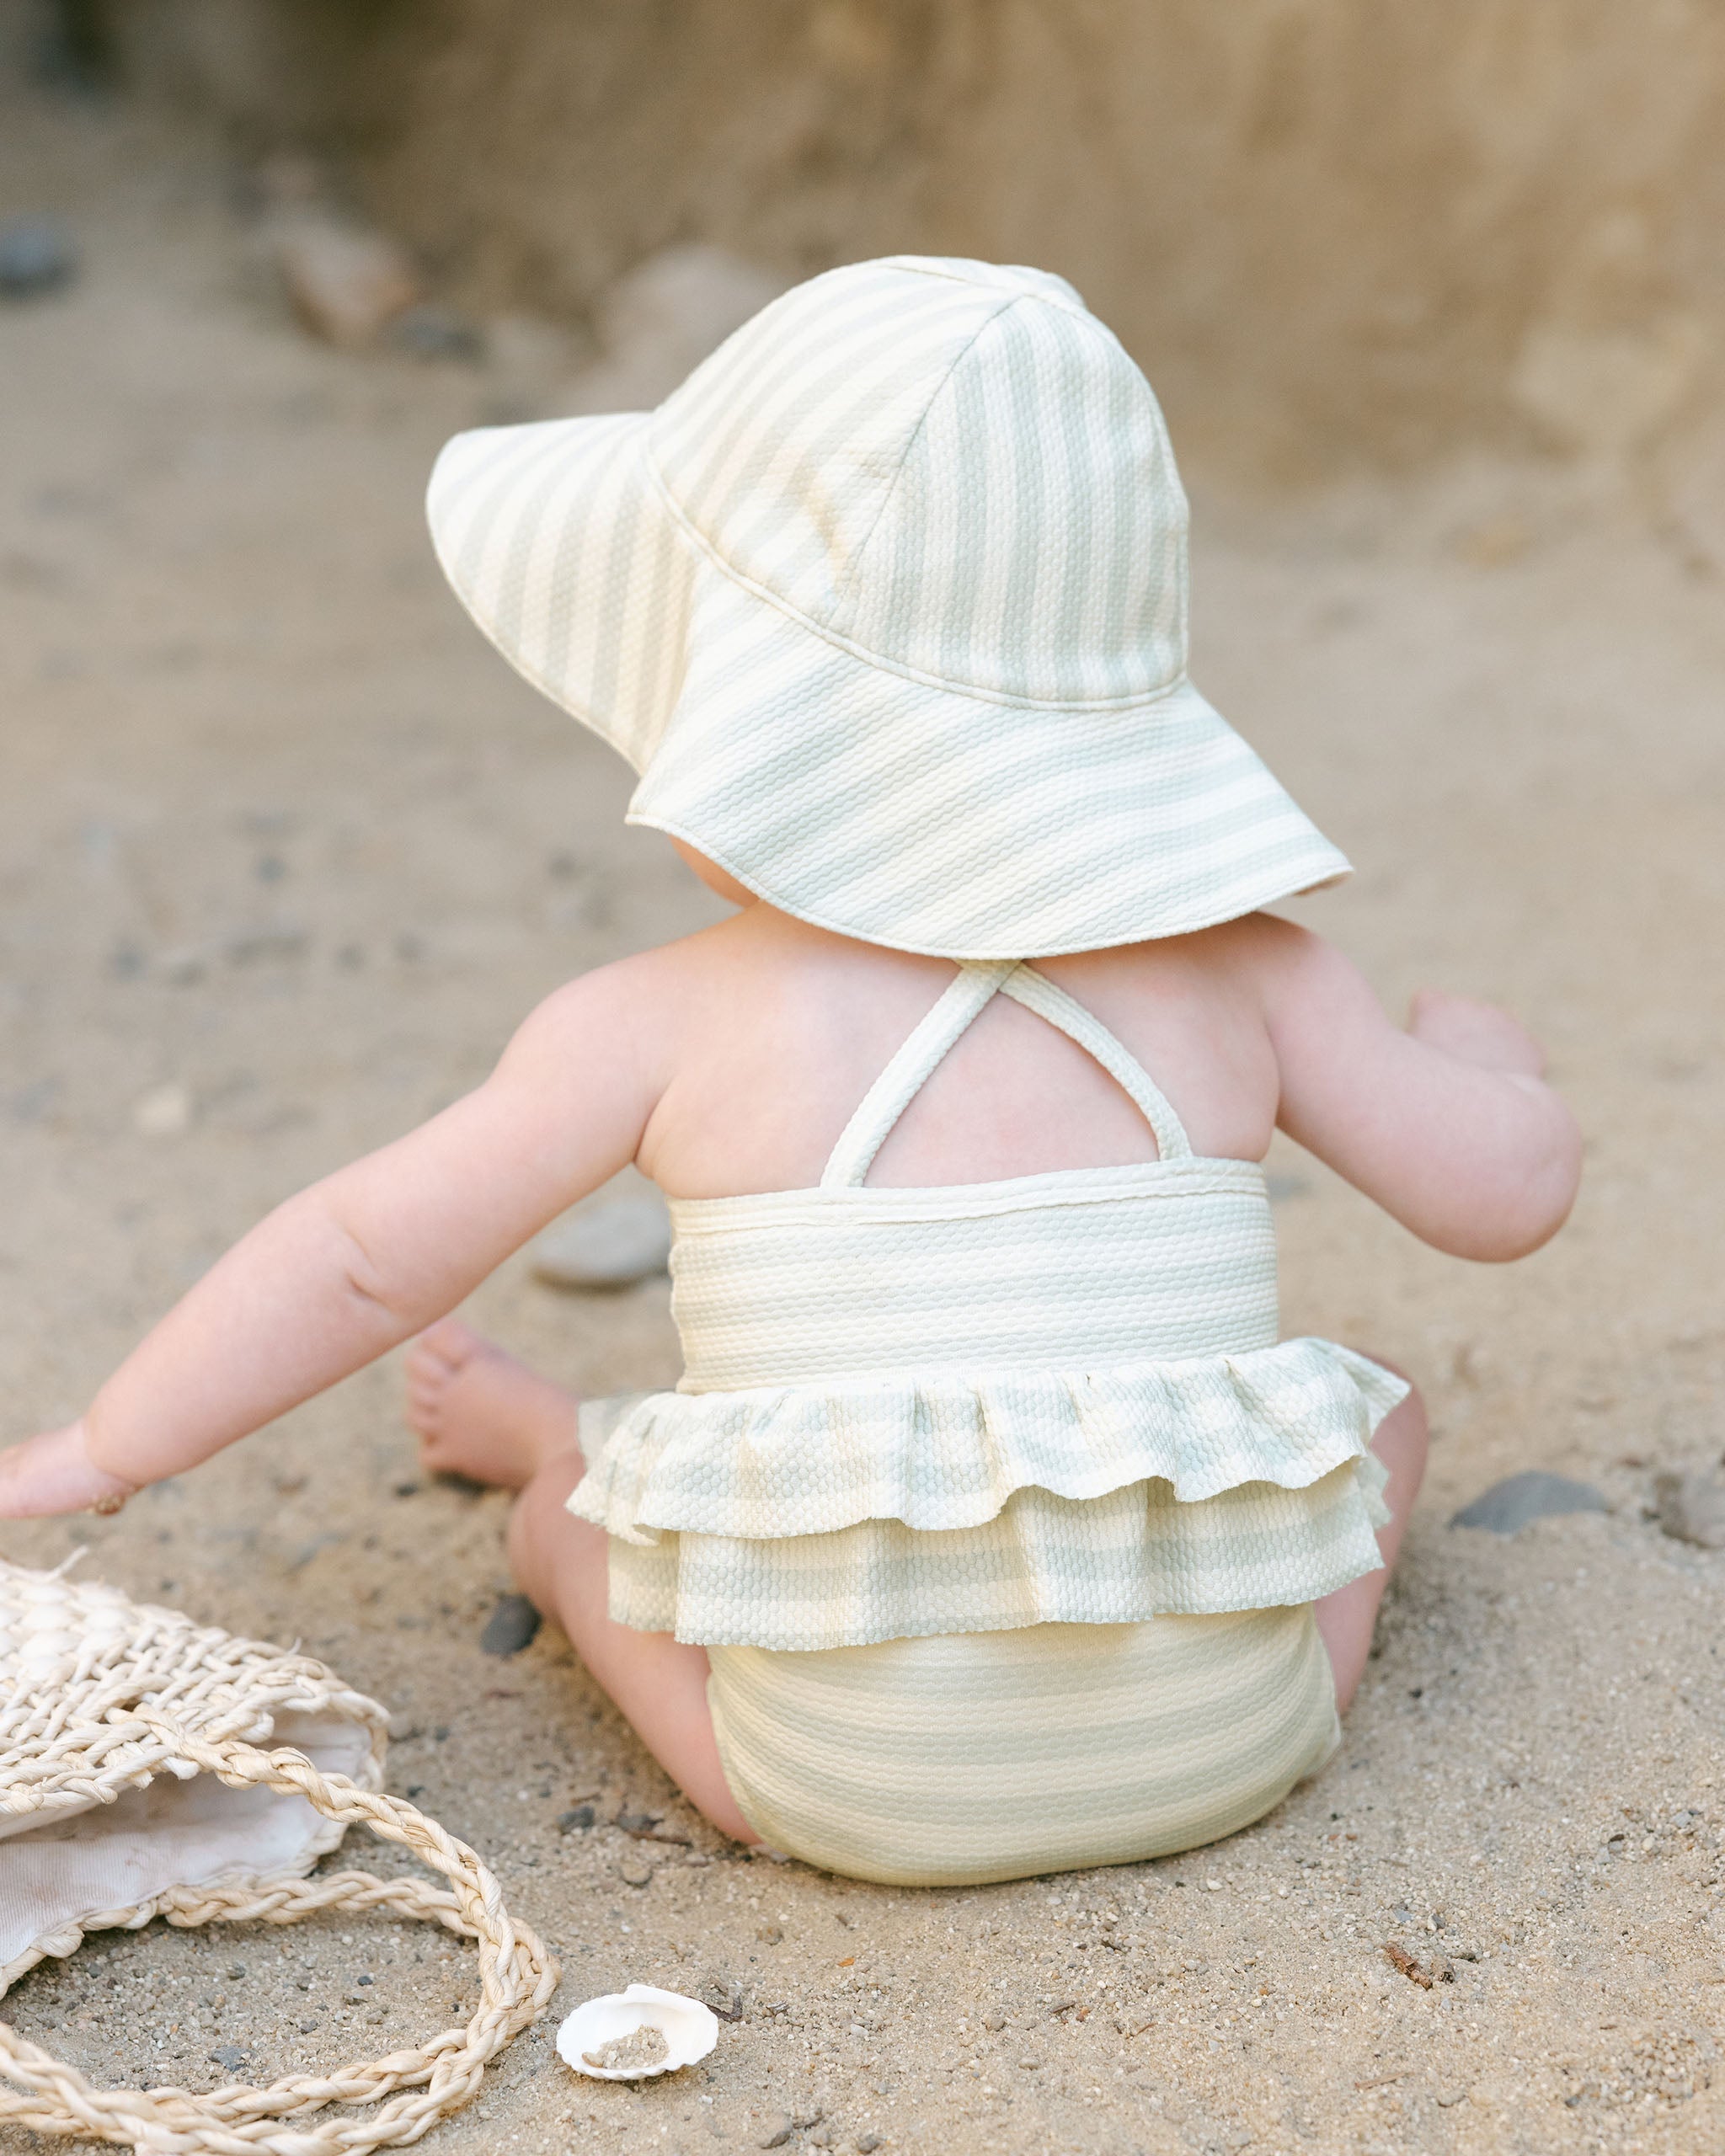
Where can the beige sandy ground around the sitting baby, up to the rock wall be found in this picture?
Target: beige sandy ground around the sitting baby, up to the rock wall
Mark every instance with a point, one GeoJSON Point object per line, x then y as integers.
{"type": "Point", "coordinates": [284, 857]}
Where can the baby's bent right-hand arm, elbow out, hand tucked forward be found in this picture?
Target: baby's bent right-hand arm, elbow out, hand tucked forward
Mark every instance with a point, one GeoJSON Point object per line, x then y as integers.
{"type": "Point", "coordinates": [1450, 1127]}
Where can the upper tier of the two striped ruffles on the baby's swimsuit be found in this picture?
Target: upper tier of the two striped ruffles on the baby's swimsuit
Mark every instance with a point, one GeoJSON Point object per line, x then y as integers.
{"type": "Point", "coordinates": [943, 1452]}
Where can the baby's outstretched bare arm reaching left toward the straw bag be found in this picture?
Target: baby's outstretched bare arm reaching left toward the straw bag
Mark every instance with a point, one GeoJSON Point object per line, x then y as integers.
{"type": "Point", "coordinates": [376, 1252]}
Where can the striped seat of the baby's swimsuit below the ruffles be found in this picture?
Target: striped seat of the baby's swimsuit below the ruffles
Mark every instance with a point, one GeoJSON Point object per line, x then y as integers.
{"type": "Point", "coordinates": [991, 1756]}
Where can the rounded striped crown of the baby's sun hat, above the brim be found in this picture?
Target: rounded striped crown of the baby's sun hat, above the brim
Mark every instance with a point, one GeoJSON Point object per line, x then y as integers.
{"type": "Point", "coordinates": [950, 467]}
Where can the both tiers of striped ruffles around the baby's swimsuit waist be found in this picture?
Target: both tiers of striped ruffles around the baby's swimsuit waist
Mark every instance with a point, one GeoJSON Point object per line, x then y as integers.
{"type": "Point", "coordinates": [868, 1510]}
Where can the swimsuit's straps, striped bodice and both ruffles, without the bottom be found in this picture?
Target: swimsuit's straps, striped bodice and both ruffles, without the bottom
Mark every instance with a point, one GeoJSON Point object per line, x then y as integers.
{"type": "Point", "coordinates": [1047, 1400]}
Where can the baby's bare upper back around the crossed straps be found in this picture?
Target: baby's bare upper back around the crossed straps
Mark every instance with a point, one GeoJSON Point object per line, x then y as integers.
{"type": "Point", "coordinates": [792, 1027]}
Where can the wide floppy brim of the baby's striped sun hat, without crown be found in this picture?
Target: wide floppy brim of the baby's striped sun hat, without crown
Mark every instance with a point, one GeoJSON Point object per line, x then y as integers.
{"type": "Point", "coordinates": [844, 790]}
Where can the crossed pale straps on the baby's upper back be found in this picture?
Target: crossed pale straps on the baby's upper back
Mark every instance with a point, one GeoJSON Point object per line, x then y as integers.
{"type": "Point", "coordinates": [952, 1017]}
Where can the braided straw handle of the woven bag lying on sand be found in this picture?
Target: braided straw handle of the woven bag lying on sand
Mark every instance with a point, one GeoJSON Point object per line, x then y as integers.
{"type": "Point", "coordinates": [516, 1978]}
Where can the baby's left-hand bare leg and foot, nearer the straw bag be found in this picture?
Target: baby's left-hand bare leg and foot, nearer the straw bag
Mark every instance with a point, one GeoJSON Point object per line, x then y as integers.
{"type": "Point", "coordinates": [480, 1413]}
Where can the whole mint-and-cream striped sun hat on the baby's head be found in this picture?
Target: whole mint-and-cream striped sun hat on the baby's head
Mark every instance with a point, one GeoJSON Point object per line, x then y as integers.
{"type": "Point", "coordinates": [887, 607]}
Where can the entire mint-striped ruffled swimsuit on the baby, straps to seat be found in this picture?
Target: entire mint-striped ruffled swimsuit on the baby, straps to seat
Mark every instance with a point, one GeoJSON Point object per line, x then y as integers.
{"type": "Point", "coordinates": [999, 1508]}
